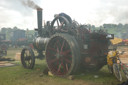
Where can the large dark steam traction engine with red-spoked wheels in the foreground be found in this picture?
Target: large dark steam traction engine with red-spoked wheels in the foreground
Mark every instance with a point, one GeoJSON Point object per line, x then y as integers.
{"type": "Point", "coordinates": [68, 46]}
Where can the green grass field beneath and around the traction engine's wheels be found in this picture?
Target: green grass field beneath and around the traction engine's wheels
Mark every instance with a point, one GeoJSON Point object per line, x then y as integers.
{"type": "Point", "coordinates": [17, 75]}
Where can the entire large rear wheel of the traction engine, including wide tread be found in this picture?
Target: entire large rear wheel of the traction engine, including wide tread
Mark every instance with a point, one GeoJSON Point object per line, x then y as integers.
{"type": "Point", "coordinates": [62, 55]}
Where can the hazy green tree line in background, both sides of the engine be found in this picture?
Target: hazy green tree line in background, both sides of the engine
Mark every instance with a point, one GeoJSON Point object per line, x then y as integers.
{"type": "Point", "coordinates": [119, 30]}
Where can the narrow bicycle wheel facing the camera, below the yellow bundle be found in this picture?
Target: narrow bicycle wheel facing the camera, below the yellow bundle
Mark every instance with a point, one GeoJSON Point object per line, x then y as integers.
{"type": "Point", "coordinates": [117, 72]}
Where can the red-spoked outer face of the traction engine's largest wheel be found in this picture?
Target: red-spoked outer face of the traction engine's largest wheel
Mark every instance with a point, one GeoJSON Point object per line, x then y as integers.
{"type": "Point", "coordinates": [59, 56]}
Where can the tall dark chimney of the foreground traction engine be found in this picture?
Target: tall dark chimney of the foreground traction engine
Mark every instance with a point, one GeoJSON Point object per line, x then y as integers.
{"type": "Point", "coordinates": [39, 21]}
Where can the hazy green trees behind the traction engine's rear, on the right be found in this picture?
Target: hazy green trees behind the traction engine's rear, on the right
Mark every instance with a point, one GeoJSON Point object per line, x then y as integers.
{"type": "Point", "coordinates": [119, 30]}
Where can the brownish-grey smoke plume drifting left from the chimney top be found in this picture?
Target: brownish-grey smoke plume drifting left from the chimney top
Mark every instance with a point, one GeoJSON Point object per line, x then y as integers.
{"type": "Point", "coordinates": [30, 4]}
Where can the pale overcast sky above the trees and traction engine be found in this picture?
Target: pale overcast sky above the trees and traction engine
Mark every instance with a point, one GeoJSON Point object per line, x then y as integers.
{"type": "Point", "coordinates": [96, 12]}
